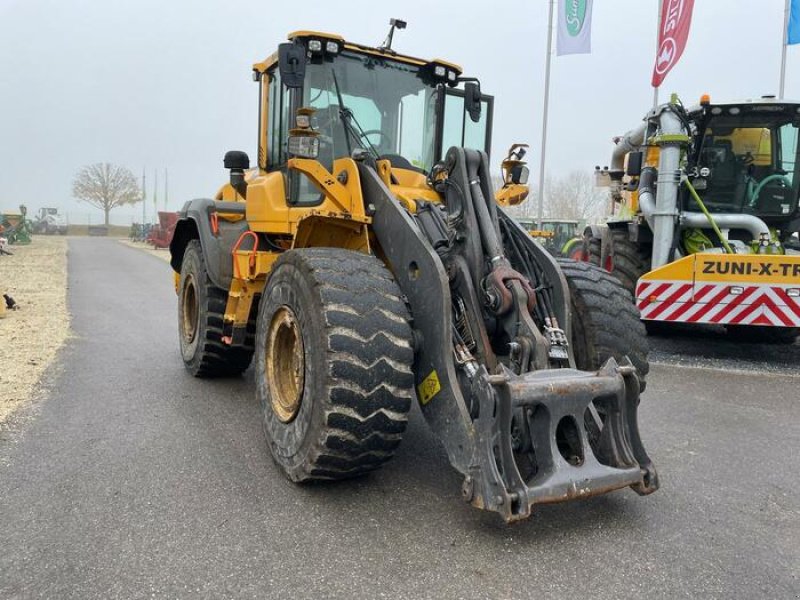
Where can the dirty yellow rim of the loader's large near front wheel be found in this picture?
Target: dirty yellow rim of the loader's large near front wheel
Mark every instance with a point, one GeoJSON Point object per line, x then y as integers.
{"type": "Point", "coordinates": [285, 364]}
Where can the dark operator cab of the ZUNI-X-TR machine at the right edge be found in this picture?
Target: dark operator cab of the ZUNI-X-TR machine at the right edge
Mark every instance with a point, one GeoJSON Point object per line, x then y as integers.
{"type": "Point", "coordinates": [748, 158]}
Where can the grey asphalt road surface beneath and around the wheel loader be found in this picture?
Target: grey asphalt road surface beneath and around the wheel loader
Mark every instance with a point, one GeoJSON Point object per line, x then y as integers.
{"type": "Point", "coordinates": [130, 479]}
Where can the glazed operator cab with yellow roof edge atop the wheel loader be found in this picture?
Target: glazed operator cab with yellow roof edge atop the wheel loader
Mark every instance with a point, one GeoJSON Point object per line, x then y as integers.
{"type": "Point", "coordinates": [366, 103]}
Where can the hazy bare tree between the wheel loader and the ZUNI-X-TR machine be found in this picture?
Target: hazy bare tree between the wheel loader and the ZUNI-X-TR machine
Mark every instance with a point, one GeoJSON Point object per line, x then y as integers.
{"type": "Point", "coordinates": [574, 196]}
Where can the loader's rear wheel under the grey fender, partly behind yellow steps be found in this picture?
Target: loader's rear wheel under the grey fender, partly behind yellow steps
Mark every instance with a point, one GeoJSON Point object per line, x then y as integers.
{"type": "Point", "coordinates": [201, 307]}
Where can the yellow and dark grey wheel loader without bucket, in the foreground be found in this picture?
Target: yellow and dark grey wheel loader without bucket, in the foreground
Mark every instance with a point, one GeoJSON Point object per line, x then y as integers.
{"type": "Point", "coordinates": [366, 263]}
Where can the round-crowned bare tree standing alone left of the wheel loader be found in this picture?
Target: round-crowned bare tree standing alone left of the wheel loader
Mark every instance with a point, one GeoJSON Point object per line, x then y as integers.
{"type": "Point", "coordinates": [106, 186]}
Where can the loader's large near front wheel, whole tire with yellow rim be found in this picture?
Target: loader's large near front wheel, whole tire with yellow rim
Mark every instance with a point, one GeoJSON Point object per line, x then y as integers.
{"type": "Point", "coordinates": [333, 363]}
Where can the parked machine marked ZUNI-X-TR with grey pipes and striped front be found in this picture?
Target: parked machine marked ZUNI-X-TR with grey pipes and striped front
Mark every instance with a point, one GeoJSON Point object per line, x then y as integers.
{"type": "Point", "coordinates": [705, 201]}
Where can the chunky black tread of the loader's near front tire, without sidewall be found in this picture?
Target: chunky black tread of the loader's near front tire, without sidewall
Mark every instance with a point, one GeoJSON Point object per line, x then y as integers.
{"type": "Point", "coordinates": [370, 383]}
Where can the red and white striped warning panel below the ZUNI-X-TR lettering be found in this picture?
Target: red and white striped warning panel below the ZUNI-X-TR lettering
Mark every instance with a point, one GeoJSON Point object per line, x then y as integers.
{"type": "Point", "coordinates": [728, 303]}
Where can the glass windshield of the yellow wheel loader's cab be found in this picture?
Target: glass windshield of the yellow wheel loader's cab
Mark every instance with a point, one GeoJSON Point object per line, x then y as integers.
{"type": "Point", "coordinates": [393, 110]}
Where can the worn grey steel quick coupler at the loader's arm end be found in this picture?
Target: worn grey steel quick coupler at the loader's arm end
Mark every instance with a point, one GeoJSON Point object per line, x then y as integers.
{"type": "Point", "coordinates": [556, 435]}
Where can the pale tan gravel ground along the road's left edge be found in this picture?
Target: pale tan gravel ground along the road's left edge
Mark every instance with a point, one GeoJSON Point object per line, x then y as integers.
{"type": "Point", "coordinates": [36, 277]}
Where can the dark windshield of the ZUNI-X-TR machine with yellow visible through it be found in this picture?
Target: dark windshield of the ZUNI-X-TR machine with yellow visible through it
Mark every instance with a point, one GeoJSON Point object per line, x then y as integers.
{"type": "Point", "coordinates": [752, 161]}
